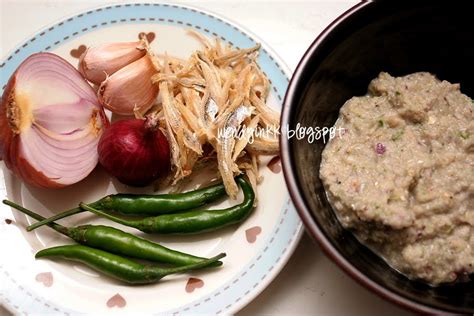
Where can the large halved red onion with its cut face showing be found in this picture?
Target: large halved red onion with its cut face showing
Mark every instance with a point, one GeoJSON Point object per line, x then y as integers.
{"type": "Point", "coordinates": [50, 123]}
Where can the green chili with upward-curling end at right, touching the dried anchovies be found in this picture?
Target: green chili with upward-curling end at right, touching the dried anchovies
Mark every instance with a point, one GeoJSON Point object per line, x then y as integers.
{"type": "Point", "coordinates": [192, 221]}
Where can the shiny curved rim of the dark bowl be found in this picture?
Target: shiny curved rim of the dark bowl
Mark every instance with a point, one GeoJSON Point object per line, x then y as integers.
{"type": "Point", "coordinates": [297, 197]}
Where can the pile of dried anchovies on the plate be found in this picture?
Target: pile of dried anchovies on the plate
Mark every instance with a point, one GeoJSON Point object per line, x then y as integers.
{"type": "Point", "coordinates": [217, 89]}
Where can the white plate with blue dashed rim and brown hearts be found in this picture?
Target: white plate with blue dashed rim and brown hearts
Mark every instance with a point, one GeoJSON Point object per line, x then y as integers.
{"type": "Point", "coordinates": [256, 250]}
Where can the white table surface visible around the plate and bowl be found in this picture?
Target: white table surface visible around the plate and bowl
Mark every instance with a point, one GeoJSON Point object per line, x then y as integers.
{"type": "Point", "coordinates": [309, 284]}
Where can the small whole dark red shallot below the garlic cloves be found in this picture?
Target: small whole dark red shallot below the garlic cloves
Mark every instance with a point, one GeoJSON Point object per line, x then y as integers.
{"type": "Point", "coordinates": [135, 151]}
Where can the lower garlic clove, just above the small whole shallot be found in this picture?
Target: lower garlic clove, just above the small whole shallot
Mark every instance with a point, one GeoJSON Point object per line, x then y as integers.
{"type": "Point", "coordinates": [130, 88]}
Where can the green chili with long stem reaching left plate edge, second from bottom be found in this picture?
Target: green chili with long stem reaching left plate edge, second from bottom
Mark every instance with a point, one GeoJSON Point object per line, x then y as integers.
{"type": "Point", "coordinates": [119, 242]}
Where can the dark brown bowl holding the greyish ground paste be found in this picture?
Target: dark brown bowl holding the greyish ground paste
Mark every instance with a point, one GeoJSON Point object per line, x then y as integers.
{"type": "Point", "coordinates": [400, 38]}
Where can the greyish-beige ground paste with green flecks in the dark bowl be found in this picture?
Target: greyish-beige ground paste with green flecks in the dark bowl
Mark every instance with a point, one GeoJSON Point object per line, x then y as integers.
{"type": "Point", "coordinates": [401, 176]}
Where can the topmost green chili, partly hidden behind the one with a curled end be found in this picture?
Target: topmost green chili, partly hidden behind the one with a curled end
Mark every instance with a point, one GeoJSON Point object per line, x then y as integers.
{"type": "Point", "coordinates": [136, 204]}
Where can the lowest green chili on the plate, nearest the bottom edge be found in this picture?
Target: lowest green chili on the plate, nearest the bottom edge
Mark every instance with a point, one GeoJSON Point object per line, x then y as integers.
{"type": "Point", "coordinates": [118, 267]}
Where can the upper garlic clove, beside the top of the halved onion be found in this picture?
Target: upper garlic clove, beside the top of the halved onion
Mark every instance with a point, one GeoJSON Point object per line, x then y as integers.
{"type": "Point", "coordinates": [98, 62]}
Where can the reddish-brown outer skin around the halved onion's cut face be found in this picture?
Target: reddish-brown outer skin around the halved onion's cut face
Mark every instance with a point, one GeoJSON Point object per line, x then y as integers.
{"type": "Point", "coordinates": [10, 136]}
